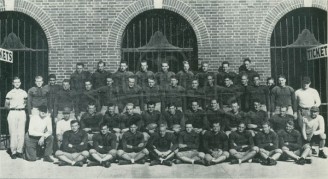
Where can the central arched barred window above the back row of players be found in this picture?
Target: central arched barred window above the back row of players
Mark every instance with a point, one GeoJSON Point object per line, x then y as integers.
{"type": "Point", "coordinates": [158, 35]}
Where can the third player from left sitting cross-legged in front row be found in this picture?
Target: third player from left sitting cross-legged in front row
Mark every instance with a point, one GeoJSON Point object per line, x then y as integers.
{"type": "Point", "coordinates": [134, 150]}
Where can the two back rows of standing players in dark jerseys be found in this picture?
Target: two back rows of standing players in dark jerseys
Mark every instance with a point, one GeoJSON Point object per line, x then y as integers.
{"type": "Point", "coordinates": [163, 87]}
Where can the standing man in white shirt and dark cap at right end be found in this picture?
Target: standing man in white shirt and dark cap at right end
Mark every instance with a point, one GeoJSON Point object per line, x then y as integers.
{"type": "Point", "coordinates": [306, 97]}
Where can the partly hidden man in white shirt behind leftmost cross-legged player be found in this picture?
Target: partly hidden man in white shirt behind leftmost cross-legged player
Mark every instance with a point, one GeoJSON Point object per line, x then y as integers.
{"type": "Point", "coordinates": [63, 125]}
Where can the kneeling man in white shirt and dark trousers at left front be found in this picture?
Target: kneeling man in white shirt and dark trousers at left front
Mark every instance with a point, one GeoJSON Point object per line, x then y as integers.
{"type": "Point", "coordinates": [39, 136]}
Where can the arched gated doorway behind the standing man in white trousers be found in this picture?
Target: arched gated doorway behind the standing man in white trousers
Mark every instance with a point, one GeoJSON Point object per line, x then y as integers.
{"type": "Point", "coordinates": [25, 37]}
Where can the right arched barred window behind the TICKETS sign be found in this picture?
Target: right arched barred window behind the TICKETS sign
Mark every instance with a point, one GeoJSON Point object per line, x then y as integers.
{"type": "Point", "coordinates": [297, 31]}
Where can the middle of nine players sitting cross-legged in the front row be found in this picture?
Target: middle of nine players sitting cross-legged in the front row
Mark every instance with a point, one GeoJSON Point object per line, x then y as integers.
{"type": "Point", "coordinates": [188, 146]}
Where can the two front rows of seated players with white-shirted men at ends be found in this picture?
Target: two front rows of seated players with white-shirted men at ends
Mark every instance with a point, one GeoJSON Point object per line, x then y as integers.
{"type": "Point", "coordinates": [195, 137]}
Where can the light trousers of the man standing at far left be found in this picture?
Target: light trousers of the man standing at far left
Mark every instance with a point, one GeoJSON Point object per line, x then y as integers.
{"type": "Point", "coordinates": [16, 123]}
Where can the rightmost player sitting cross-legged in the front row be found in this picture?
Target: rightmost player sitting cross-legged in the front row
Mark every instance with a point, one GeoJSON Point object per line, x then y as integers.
{"type": "Point", "coordinates": [290, 141]}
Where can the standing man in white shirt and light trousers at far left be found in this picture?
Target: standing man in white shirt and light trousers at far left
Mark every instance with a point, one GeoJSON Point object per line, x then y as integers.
{"type": "Point", "coordinates": [16, 101]}
